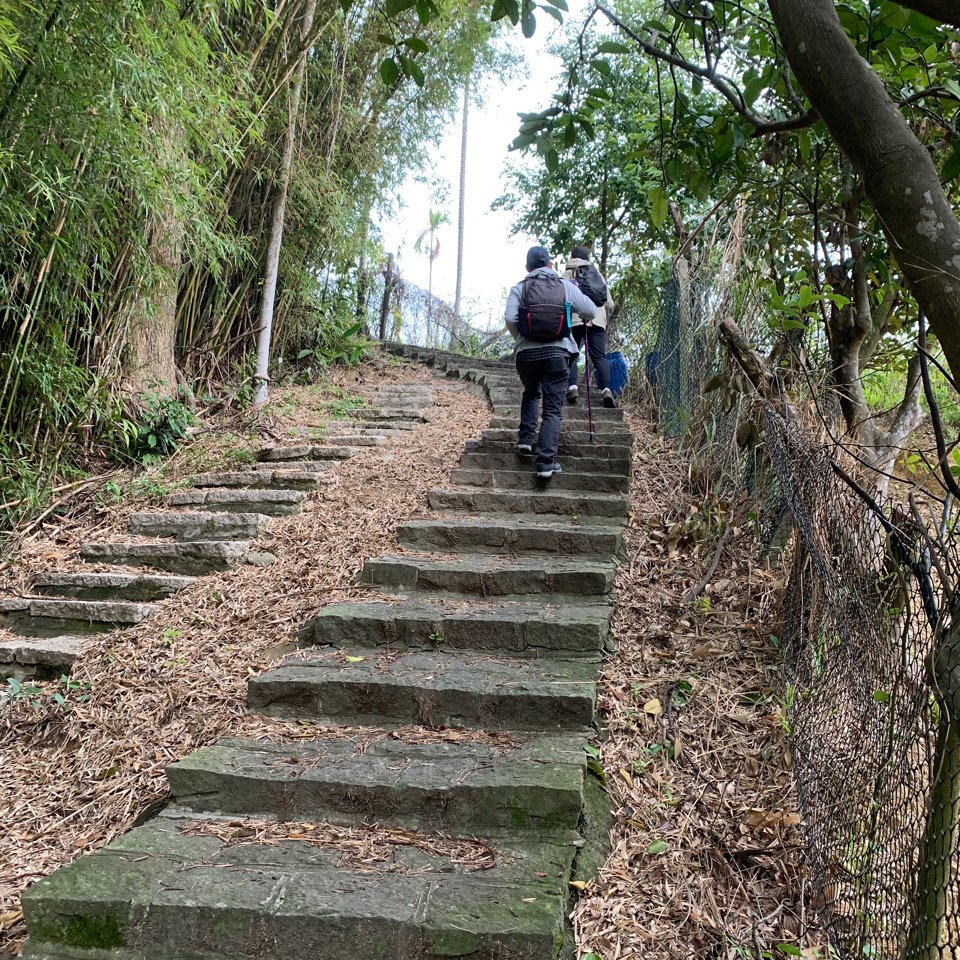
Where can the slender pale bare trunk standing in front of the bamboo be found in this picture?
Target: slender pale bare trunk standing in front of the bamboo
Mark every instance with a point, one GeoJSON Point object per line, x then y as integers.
{"type": "Point", "coordinates": [272, 270]}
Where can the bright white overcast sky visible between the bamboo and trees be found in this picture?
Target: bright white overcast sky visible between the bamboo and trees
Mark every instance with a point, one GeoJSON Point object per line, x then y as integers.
{"type": "Point", "coordinates": [493, 259]}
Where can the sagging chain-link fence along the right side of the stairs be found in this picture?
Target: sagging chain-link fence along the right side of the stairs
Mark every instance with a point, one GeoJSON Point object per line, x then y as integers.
{"type": "Point", "coordinates": [869, 636]}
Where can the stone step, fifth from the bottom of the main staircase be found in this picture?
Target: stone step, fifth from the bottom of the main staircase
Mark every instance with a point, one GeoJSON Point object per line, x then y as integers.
{"type": "Point", "coordinates": [490, 576]}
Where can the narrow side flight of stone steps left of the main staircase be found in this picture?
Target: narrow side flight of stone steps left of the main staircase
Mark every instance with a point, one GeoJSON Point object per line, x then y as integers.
{"type": "Point", "coordinates": [212, 526]}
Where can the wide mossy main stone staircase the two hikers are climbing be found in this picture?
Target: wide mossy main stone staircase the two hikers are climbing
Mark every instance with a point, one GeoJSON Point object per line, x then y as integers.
{"type": "Point", "coordinates": [458, 836]}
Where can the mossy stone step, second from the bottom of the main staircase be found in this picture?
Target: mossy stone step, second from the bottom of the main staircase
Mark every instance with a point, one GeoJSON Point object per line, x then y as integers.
{"type": "Point", "coordinates": [462, 789]}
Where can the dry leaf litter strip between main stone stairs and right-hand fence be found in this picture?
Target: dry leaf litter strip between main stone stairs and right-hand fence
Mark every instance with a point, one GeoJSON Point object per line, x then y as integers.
{"type": "Point", "coordinates": [706, 855]}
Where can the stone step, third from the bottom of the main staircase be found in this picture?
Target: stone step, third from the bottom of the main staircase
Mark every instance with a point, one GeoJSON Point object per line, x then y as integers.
{"type": "Point", "coordinates": [430, 689]}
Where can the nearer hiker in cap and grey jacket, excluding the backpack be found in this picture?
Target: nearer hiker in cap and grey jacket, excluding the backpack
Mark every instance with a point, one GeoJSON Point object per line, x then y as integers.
{"type": "Point", "coordinates": [543, 365]}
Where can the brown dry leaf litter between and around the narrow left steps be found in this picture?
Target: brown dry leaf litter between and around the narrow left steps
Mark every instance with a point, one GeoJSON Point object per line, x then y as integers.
{"type": "Point", "coordinates": [71, 780]}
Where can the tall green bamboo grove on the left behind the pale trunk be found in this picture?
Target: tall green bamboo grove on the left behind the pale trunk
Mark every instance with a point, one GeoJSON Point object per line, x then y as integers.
{"type": "Point", "coordinates": [140, 145]}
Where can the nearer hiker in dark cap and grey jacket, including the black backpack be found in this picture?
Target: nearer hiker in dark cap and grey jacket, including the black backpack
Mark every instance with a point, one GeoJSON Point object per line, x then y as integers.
{"type": "Point", "coordinates": [537, 316]}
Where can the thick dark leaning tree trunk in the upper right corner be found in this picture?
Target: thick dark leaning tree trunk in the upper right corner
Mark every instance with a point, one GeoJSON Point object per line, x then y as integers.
{"type": "Point", "coordinates": [900, 179]}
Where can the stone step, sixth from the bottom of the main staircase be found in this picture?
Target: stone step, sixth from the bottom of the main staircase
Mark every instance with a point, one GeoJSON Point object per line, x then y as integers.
{"type": "Point", "coordinates": [506, 535]}
